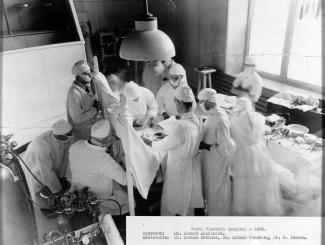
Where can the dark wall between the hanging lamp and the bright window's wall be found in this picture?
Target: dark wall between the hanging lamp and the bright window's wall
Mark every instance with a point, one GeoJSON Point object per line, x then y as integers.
{"type": "Point", "coordinates": [198, 29]}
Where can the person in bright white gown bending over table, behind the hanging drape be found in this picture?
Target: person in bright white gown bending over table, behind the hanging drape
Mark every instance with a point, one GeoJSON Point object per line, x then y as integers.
{"type": "Point", "coordinates": [141, 104]}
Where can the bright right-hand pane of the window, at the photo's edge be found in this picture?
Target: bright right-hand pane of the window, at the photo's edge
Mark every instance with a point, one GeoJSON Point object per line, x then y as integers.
{"type": "Point", "coordinates": [305, 62]}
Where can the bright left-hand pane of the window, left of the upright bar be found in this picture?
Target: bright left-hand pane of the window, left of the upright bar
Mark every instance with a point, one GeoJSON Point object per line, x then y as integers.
{"type": "Point", "coordinates": [268, 34]}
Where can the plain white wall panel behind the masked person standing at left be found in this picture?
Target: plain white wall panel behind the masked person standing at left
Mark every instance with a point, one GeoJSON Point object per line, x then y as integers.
{"type": "Point", "coordinates": [34, 85]}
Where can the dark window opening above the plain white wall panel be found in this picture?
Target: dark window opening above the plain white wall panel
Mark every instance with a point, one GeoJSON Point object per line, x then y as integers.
{"type": "Point", "coordinates": [35, 23]}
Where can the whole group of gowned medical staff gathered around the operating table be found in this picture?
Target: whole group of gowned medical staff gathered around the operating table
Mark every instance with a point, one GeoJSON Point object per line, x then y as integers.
{"type": "Point", "coordinates": [215, 159]}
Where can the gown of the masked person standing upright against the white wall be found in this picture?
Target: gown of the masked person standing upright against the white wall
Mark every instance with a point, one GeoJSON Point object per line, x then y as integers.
{"type": "Point", "coordinates": [80, 111]}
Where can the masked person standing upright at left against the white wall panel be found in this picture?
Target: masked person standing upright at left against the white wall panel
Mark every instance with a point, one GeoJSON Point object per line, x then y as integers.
{"type": "Point", "coordinates": [81, 106]}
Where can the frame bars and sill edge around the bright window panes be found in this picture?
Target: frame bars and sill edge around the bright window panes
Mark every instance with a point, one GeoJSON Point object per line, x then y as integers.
{"type": "Point", "coordinates": [283, 77]}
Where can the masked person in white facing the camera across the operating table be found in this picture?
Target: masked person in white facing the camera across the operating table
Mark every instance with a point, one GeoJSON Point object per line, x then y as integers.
{"type": "Point", "coordinates": [165, 98]}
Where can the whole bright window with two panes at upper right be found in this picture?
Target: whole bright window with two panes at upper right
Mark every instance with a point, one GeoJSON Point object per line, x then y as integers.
{"type": "Point", "coordinates": [285, 38]}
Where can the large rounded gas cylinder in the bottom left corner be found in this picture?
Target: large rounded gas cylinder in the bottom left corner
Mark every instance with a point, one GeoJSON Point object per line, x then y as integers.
{"type": "Point", "coordinates": [16, 221]}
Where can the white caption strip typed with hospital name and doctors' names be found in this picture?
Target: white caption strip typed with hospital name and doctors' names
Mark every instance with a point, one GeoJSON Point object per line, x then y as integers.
{"type": "Point", "coordinates": [224, 230]}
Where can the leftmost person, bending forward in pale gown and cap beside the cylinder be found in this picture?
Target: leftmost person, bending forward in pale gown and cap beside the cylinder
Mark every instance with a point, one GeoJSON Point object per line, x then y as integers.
{"type": "Point", "coordinates": [47, 158]}
